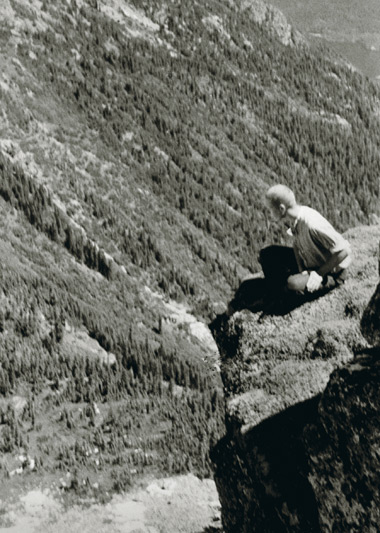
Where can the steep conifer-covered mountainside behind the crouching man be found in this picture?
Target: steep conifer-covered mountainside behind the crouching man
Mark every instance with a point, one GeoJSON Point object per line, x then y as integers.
{"type": "Point", "coordinates": [137, 140]}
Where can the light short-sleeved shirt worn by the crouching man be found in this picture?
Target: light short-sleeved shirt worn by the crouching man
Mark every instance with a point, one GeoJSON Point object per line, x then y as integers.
{"type": "Point", "coordinates": [316, 240]}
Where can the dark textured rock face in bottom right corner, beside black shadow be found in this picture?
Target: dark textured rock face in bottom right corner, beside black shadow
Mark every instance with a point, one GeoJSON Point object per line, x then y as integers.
{"type": "Point", "coordinates": [342, 448]}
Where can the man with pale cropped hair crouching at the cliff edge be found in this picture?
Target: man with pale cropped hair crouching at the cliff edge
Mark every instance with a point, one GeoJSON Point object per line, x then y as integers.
{"type": "Point", "coordinates": [320, 255]}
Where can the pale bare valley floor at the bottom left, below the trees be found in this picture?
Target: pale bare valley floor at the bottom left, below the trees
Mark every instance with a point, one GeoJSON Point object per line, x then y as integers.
{"type": "Point", "coordinates": [171, 505]}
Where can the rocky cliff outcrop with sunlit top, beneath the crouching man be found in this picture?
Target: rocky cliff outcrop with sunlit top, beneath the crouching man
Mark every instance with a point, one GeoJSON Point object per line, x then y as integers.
{"type": "Point", "coordinates": [302, 449]}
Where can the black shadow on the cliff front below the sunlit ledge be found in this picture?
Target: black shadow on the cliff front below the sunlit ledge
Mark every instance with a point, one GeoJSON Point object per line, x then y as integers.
{"type": "Point", "coordinates": [264, 474]}
